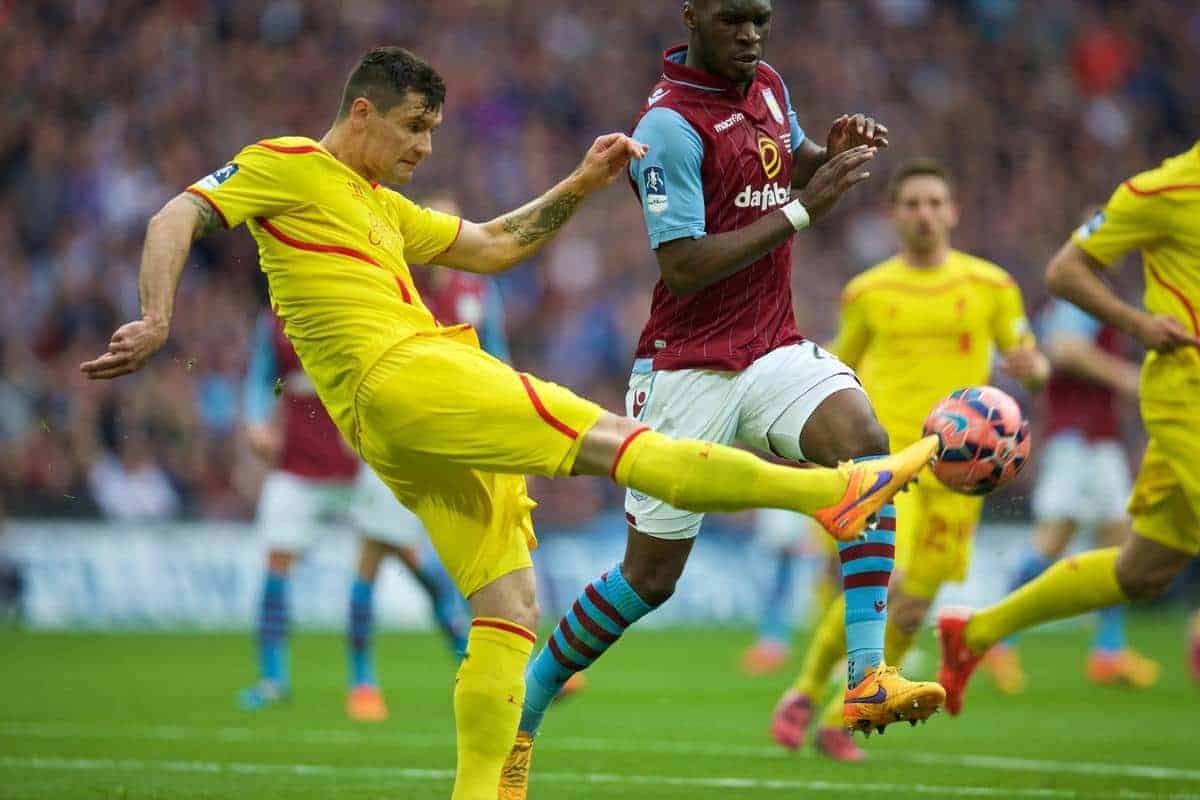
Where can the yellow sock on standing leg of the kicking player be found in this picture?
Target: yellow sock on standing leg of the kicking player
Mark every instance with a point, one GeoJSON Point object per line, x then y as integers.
{"type": "Point", "coordinates": [488, 696]}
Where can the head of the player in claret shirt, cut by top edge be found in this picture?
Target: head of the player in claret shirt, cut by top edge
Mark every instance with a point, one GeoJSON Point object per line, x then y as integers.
{"type": "Point", "coordinates": [731, 35]}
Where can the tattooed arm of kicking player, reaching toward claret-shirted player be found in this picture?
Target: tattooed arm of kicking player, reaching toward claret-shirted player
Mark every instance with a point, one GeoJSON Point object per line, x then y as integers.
{"type": "Point", "coordinates": [505, 242]}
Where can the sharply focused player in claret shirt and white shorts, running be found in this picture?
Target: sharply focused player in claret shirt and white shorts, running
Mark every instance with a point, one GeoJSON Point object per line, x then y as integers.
{"type": "Point", "coordinates": [722, 358]}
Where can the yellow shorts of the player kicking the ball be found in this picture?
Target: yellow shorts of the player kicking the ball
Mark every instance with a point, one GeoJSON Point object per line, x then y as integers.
{"type": "Point", "coordinates": [453, 432]}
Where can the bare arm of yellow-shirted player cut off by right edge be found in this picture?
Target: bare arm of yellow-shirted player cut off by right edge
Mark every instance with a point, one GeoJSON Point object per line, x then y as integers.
{"type": "Point", "coordinates": [1073, 276]}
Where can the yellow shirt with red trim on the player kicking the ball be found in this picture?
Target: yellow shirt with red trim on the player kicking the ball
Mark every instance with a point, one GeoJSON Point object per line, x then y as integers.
{"type": "Point", "coordinates": [335, 249]}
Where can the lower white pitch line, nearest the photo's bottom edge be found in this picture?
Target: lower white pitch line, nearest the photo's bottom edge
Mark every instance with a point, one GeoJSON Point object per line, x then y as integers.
{"type": "Point", "coordinates": [403, 774]}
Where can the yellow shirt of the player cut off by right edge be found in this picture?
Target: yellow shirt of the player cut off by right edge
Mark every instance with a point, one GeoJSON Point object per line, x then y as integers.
{"type": "Point", "coordinates": [1159, 213]}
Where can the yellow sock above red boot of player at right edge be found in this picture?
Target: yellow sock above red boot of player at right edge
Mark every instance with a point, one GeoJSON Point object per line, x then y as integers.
{"type": "Point", "coordinates": [1071, 587]}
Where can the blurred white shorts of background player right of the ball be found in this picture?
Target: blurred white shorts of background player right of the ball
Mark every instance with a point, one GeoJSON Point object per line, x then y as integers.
{"type": "Point", "coordinates": [1081, 480]}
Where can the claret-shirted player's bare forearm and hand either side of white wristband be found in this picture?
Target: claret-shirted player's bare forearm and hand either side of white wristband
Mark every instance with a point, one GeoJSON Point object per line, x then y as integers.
{"type": "Point", "coordinates": [689, 266]}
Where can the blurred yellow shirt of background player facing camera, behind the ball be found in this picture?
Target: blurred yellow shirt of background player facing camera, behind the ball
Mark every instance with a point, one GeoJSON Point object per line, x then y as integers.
{"type": "Point", "coordinates": [917, 334]}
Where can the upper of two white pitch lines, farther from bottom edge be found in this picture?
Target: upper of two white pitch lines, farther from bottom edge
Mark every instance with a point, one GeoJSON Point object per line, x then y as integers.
{"type": "Point", "coordinates": [581, 744]}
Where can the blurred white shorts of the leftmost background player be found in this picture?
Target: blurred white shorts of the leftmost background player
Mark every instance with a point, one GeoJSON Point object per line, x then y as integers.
{"type": "Point", "coordinates": [295, 513]}
